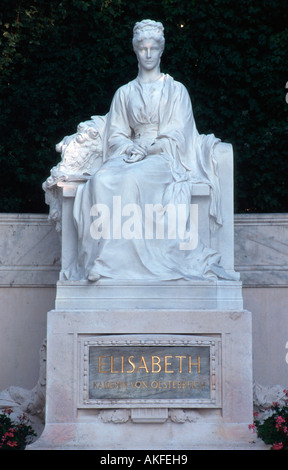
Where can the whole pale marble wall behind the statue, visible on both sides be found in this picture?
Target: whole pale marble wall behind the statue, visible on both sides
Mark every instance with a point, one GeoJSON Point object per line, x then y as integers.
{"type": "Point", "coordinates": [29, 267]}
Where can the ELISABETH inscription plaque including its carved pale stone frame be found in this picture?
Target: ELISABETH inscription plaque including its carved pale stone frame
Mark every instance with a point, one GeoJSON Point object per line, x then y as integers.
{"type": "Point", "coordinates": [139, 370]}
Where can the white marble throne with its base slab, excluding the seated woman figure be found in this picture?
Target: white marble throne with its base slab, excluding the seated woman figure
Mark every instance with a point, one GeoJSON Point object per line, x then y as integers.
{"type": "Point", "coordinates": [81, 157]}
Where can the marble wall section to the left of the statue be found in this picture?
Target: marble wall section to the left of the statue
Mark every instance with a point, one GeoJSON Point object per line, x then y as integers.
{"type": "Point", "coordinates": [29, 267]}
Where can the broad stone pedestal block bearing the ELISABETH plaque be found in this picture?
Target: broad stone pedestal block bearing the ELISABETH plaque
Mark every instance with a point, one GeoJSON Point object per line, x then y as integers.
{"type": "Point", "coordinates": [105, 390]}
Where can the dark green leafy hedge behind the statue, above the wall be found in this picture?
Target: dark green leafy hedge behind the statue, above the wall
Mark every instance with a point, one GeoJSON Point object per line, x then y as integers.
{"type": "Point", "coordinates": [61, 62]}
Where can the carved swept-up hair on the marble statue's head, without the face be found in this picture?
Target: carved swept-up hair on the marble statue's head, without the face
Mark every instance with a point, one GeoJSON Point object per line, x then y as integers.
{"type": "Point", "coordinates": [148, 29]}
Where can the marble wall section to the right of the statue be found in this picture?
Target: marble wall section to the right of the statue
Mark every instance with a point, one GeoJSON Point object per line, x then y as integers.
{"type": "Point", "coordinates": [261, 256]}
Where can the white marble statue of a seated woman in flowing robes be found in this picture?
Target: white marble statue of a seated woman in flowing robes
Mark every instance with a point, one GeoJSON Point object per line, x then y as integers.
{"type": "Point", "coordinates": [134, 216]}
